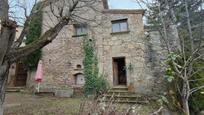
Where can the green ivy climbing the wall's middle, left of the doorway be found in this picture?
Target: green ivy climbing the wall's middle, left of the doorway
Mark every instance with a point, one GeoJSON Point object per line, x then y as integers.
{"type": "Point", "coordinates": [94, 84]}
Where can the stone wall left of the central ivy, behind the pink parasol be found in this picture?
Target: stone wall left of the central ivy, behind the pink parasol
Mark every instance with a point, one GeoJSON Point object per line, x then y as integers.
{"type": "Point", "coordinates": [61, 57]}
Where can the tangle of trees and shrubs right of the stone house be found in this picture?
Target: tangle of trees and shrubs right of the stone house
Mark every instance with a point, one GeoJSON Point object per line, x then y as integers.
{"type": "Point", "coordinates": [182, 21]}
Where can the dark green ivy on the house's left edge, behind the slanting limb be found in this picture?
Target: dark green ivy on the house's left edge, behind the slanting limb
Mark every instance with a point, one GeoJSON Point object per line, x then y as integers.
{"type": "Point", "coordinates": [33, 34]}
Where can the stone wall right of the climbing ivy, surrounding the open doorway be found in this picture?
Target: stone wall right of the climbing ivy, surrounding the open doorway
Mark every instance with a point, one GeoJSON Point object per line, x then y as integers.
{"type": "Point", "coordinates": [134, 46]}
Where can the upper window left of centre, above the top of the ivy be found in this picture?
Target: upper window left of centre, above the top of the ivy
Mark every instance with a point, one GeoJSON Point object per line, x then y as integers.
{"type": "Point", "coordinates": [80, 29]}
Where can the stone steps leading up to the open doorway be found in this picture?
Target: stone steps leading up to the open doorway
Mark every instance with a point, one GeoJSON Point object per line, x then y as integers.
{"type": "Point", "coordinates": [120, 94]}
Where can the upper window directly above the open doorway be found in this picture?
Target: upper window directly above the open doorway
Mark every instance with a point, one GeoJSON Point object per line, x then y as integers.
{"type": "Point", "coordinates": [119, 25]}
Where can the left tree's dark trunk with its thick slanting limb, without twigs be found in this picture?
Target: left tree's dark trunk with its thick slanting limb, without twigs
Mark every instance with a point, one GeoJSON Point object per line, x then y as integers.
{"type": "Point", "coordinates": [9, 55]}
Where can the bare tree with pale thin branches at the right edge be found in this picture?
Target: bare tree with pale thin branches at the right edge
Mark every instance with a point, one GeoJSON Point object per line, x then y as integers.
{"type": "Point", "coordinates": [182, 53]}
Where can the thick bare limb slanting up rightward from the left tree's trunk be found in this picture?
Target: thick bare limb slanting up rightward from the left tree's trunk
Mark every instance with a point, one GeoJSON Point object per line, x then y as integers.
{"type": "Point", "coordinates": [46, 38]}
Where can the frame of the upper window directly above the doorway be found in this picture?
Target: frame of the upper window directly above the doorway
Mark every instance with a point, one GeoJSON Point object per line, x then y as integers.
{"type": "Point", "coordinates": [119, 22]}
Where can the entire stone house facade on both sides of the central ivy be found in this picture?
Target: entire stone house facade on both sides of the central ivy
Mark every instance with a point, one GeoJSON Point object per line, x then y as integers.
{"type": "Point", "coordinates": [61, 57]}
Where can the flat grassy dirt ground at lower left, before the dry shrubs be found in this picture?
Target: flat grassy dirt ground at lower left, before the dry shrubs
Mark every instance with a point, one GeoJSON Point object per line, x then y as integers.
{"type": "Point", "coordinates": [27, 104]}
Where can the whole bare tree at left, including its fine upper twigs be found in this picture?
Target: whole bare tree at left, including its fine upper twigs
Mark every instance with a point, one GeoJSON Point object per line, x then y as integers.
{"type": "Point", "coordinates": [10, 50]}
